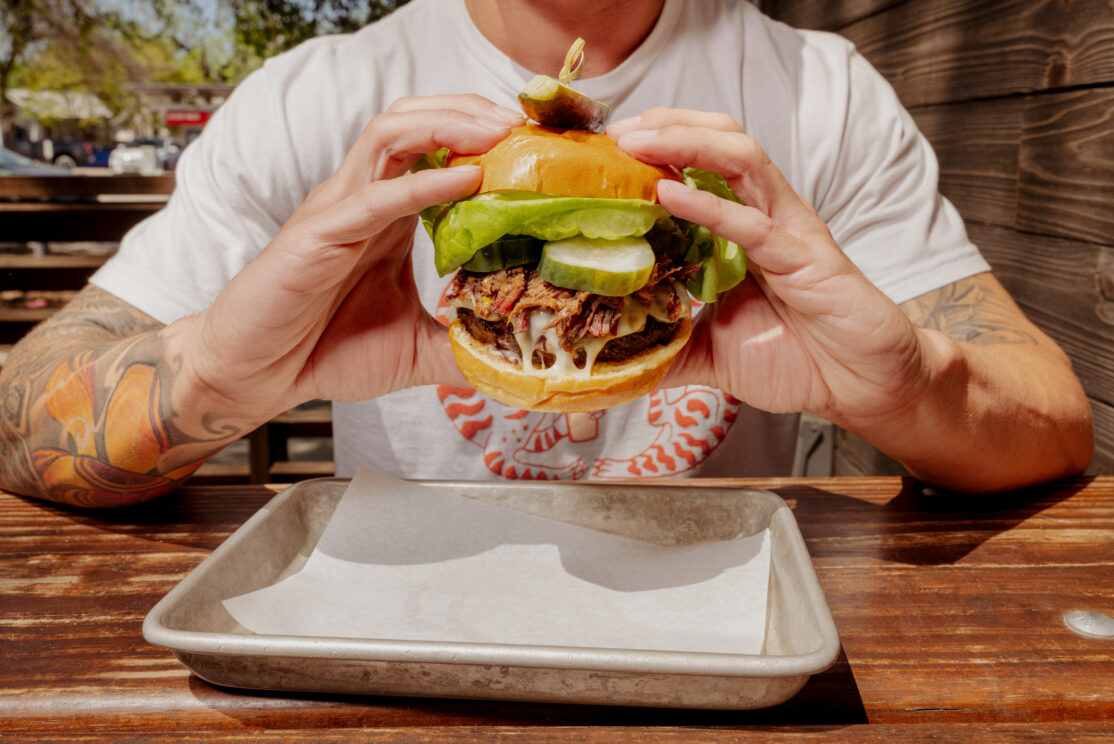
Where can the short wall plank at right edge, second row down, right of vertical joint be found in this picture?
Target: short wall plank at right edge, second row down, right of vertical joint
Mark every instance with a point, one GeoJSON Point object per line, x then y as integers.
{"type": "Point", "coordinates": [1067, 175]}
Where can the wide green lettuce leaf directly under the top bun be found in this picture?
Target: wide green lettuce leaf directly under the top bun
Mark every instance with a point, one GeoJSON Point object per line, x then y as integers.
{"type": "Point", "coordinates": [467, 227]}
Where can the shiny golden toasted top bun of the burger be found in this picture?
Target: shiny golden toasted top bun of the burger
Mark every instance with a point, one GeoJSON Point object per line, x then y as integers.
{"type": "Point", "coordinates": [565, 163]}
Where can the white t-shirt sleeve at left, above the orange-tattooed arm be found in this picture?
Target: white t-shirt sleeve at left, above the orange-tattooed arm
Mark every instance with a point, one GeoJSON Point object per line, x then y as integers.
{"type": "Point", "coordinates": [234, 190]}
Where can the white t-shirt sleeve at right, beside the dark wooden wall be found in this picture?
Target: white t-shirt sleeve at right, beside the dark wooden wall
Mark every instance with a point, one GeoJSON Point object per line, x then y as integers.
{"type": "Point", "coordinates": [876, 184]}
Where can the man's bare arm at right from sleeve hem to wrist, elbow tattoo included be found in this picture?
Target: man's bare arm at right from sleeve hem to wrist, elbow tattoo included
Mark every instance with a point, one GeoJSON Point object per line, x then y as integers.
{"type": "Point", "coordinates": [1000, 407]}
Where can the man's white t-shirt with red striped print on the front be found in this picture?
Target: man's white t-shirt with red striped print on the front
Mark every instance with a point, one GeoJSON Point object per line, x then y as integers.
{"type": "Point", "coordinates": [826, 118]}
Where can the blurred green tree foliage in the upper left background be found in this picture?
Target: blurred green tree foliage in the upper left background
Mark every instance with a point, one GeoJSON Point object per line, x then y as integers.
{"type": "Point", "coordinates": [100, 46]}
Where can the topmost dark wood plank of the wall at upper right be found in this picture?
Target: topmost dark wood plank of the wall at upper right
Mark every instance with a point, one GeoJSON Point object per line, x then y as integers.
{"type": "Point", "coordinates": [951, 51]}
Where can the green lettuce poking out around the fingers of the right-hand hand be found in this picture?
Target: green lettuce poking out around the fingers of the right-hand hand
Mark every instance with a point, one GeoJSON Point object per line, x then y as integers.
{"type": "Point", "coordinates": [724, 263]}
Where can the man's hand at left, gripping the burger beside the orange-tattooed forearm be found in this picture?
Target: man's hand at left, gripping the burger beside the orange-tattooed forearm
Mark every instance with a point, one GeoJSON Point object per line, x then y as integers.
{"type": "Point", "coordinates": [329, 309]}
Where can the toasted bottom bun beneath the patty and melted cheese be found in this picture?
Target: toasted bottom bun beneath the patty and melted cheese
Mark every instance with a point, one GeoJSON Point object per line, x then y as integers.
{"type": "Point", "coordinates": [610, 384]}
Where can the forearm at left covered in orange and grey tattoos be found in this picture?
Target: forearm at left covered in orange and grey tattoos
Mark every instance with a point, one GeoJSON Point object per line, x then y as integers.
{"type": "Point", "coordinates": [86, 417]}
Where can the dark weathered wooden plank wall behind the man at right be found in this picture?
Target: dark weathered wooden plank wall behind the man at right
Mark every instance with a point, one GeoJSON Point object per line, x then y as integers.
{"type": "Point", "coordinates": [1018, 97]}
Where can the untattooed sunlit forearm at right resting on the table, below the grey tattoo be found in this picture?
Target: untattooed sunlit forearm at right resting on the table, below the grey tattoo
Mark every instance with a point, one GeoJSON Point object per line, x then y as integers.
{"type": "Point", "coordinates": [990, 419]}
